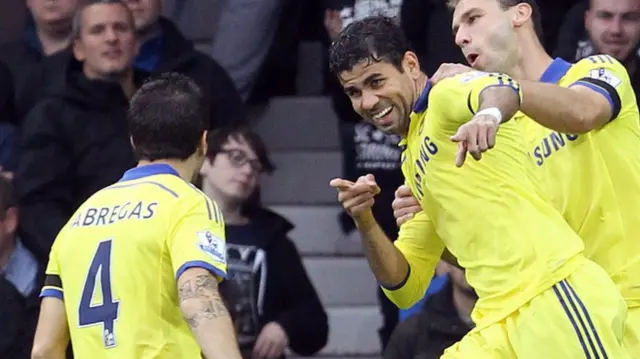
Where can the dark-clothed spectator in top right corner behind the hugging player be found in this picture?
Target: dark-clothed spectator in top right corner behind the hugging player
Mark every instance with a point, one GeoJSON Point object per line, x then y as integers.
{"type": "Point", "coordinates": [603, 27]}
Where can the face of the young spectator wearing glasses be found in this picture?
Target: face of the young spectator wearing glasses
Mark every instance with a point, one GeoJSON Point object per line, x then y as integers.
{"type": "Point", "coordinates": [234, 172]}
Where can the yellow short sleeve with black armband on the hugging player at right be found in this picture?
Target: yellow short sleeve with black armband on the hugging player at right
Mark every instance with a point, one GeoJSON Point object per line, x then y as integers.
{"type": "Point", "coordinates": [608, 77]}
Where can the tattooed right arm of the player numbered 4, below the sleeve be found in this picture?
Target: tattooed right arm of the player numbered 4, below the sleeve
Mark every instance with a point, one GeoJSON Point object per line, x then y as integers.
{"type": "Point", "coordinates": [209, 320]}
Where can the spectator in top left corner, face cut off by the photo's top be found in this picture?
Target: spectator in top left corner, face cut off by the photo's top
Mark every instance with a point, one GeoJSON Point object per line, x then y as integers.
{"type": "Point", "coordinates": [47, 32]}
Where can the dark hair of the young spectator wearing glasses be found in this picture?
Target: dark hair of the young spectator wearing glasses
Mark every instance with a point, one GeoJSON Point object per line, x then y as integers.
{"type": "Point", "coordinates": [221, 136]}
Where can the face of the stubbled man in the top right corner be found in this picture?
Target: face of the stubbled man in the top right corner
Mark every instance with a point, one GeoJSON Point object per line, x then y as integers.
{"type": "Point", "coordinates": [614, 26]}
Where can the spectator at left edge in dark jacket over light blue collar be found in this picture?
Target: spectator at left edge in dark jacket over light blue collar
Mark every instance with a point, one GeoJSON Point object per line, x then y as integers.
{"type": "Point", "coordinates": [20, 281]}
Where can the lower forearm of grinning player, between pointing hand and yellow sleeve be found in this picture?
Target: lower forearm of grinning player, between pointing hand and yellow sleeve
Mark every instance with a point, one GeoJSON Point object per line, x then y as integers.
{"type": "Point", "coordinates": [388, 264]}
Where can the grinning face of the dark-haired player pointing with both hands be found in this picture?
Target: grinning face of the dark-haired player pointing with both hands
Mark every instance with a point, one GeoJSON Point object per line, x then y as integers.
{"type": "Point", "coordinates": [382, 94]}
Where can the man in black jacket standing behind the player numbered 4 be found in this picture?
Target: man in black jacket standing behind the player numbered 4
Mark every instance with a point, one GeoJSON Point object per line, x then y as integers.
{"type": "Point", "coordinates": [76, 141]}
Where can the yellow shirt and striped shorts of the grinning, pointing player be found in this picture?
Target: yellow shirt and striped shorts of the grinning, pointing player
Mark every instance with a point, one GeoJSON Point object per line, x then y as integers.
{"type": "Point", "coordinates": [519, 254]}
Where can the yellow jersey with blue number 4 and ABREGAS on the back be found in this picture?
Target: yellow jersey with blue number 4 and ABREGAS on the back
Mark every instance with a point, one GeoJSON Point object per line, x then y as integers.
{"type": "Point", "coordinates": [116, 262]}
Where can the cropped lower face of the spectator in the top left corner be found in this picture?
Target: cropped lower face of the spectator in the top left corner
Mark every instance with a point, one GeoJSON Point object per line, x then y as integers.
{"type": "Point", "coordinates": [52, 13]}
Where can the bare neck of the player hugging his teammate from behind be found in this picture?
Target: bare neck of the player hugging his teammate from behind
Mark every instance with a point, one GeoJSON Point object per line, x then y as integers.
{"type": "Point", "coordinates": [532, 59]}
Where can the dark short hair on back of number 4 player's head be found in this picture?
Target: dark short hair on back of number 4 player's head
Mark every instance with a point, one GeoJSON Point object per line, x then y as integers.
{"type": "Point", "coordinates": [166, 118]}
